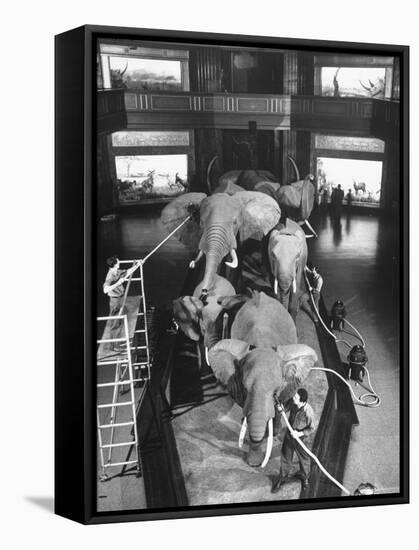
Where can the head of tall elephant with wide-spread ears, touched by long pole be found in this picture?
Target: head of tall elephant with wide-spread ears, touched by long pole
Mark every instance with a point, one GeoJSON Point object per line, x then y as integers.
{"type": "Point", "coordinates": [215, 222]}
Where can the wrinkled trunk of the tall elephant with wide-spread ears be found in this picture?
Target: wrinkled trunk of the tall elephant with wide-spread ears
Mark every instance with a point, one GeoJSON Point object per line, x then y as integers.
{"type": "Point", "coordinates": [215, 244]}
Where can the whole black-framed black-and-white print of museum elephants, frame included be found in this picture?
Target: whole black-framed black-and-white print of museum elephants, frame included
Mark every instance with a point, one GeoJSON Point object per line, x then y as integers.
{"type": "Point", "coordinates": [187, 165]}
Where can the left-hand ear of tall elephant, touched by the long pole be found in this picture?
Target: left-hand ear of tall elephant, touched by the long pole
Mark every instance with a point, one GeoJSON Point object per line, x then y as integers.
{"type": "Point", "coordinates": [177, 211]}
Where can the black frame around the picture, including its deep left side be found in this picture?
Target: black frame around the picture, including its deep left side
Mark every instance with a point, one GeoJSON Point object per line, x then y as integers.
{"type": "Point", "coordinates": [75, 230]}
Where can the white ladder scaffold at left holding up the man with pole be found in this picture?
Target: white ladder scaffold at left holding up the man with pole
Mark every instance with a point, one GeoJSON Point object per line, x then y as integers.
{"type": "Point", "coordinates": [123, 370]}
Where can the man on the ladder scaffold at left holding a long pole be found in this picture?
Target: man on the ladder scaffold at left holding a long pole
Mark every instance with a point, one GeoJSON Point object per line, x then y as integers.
{"type": "Point", "coordinates": [114, 288]}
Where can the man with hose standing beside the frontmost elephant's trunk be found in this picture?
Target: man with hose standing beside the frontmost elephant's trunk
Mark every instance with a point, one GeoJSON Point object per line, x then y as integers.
{"type": "Point", "coordinates": [301, 419]}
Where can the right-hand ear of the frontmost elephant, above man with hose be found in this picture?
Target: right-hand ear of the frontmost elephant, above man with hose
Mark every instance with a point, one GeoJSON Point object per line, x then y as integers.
{"type": "Point", "coordinates": [296, 362]}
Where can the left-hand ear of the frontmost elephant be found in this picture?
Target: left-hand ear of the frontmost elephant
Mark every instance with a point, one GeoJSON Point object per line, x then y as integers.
{"type": "Point", "coordinates": [223, 357]}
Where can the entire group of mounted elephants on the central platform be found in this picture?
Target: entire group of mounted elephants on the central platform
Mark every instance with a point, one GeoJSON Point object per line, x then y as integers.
{"type": "Point", "coordinates": [261, 357]}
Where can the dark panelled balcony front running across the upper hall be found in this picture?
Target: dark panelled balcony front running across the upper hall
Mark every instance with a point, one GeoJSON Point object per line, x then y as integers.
{"type": "Point", "coordinates": [352, 115]}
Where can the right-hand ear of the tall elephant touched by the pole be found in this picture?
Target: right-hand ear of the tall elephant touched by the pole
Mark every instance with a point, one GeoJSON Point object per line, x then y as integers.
{"type": "Point", "coordinates": [260, 213]}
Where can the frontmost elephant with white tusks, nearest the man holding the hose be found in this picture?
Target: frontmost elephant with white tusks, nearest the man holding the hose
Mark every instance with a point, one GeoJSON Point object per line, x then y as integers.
{"type": "Point", "coordinates": [260, 360]}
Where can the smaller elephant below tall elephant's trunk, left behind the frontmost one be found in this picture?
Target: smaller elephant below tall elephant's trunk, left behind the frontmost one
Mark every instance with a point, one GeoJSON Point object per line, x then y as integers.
{"type": "Point", "coordinates": [198, 318]}
